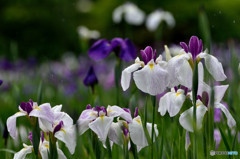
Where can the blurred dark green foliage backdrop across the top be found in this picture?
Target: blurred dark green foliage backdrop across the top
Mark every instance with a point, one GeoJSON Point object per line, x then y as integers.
{"type": "Point", "coordinates": [48, 28]}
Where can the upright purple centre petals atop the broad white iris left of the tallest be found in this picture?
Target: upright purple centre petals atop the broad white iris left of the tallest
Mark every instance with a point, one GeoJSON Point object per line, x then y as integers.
{"type": "Point", "coordinates": [148, 54]}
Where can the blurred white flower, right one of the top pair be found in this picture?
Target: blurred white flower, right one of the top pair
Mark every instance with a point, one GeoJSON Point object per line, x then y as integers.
{"type": "Point", "coordinates": [156, 17]}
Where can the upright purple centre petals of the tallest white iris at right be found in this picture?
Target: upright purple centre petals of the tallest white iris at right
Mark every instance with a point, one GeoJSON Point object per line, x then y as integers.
{"type": "Point", "coordinates": [194, 47]}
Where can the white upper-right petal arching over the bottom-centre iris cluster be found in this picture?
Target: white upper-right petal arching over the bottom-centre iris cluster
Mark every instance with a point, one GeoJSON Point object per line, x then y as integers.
{"type": "Point", "coordinates": [116, 111]}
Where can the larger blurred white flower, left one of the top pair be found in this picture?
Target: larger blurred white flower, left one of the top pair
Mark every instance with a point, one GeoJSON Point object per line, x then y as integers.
{"type": "Point", "coordinates": [130, 12]}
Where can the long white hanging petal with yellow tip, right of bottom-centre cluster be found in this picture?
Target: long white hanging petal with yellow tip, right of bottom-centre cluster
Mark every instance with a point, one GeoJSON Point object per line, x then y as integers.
{"type": "Point", "coordinates": [137, 132]}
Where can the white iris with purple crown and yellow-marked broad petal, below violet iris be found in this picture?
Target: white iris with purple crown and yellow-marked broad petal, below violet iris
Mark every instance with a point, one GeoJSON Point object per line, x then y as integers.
{"type": "Point", "coordinates": [150, 75]}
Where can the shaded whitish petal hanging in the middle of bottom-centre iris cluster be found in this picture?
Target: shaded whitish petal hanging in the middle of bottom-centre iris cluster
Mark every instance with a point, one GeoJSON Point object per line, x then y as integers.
{"type": "Point", "coordinates": [115, 134]}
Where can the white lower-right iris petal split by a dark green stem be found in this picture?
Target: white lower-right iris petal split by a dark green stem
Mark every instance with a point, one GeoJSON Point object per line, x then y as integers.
{"type": "Point", "coordinates": [186, 118]}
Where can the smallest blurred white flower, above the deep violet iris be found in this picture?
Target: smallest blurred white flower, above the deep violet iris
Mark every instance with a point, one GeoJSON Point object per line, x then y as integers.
{"type": "Point", "coordinates": [85, 33]}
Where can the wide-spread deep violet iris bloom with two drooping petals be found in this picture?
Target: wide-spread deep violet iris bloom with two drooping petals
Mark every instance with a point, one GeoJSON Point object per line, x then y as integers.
{"type": "Point", "coordinates": [123, 48]}
